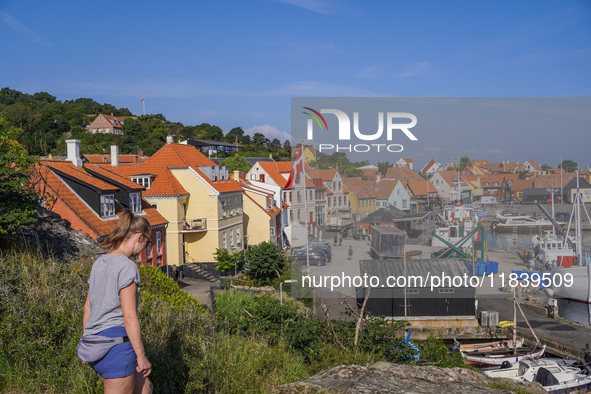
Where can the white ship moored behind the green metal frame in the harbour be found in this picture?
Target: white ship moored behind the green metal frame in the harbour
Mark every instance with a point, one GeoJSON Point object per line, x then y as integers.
{"type": "Point", "coordinates": [454, 223]}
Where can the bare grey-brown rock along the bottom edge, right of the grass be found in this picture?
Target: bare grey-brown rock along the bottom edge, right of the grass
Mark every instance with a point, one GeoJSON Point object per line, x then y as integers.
{"type": "Point", "coordinates": [384, 377]}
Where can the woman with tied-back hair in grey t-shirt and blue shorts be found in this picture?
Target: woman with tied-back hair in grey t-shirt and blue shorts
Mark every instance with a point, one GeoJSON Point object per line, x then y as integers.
{"type": "Point", "coordinates": [111, 307]}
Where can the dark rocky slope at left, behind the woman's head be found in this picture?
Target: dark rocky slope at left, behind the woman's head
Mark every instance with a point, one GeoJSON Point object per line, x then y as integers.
{"type": "Point", "coordinates": [54, 237]}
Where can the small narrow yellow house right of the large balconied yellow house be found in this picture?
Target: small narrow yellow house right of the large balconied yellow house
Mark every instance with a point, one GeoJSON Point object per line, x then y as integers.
{"type": "Point", "coordinates": [262, 218]}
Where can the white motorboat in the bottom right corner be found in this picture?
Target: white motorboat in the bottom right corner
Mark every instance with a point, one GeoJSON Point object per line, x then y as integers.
{"type": "Point", "coordinates": [555, 375]}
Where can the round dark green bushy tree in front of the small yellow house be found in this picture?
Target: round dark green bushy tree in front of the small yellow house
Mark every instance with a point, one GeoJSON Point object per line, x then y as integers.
{"type": "Point", "coordinates": [266, 262]}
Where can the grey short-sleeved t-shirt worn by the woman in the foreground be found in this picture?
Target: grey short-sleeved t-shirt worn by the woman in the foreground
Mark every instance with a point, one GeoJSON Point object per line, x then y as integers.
{"type": "Point", "coordinates": [109, 274]}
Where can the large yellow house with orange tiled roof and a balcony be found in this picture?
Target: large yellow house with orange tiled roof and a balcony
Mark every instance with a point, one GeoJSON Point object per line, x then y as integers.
{"type": "Point", "coordinates": [202, 205]}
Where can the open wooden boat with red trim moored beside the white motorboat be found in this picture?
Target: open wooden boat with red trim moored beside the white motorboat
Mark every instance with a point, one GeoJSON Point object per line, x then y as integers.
{"type": "Point", "coordinates": [505, 356]}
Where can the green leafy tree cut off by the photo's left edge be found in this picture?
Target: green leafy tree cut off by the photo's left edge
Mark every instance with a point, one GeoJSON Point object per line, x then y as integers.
{"type": "Point", "coordinates": [18, 198]}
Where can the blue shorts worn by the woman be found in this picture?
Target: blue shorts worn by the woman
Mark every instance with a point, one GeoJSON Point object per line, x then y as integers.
{"type": "Point", "coordinates": [120, 361]}
